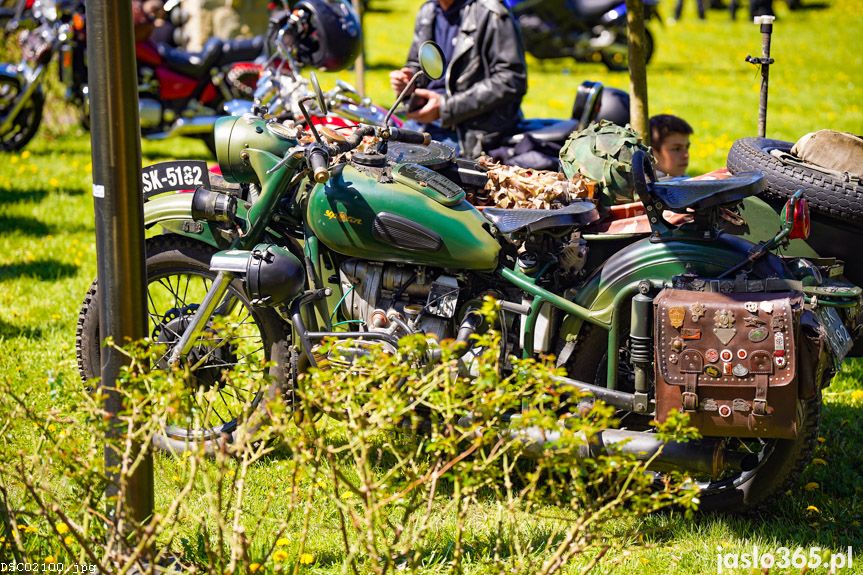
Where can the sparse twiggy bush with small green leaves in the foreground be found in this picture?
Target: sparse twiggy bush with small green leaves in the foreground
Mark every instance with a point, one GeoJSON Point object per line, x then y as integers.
{"type": "Point", "coordinates": [402, 469]}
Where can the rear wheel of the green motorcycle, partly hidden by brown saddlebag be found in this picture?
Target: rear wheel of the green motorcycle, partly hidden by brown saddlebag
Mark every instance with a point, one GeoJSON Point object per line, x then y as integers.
{"type": "Point", "coordinates": [777, 463]}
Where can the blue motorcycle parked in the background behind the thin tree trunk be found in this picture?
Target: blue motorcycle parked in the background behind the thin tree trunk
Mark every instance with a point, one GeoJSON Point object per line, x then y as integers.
{"type": "Point", "coordinates": [587, 30]}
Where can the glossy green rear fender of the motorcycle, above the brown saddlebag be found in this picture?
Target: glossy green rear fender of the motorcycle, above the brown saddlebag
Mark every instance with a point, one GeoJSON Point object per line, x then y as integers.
{"type": "Point", "coordinates": [645, 260]}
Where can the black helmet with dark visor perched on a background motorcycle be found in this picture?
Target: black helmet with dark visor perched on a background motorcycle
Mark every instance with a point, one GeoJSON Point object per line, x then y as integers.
{"type": "Point", "coordinates": [329, 33]}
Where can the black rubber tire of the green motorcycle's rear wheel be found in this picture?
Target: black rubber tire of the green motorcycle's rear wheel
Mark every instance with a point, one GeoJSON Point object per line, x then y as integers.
{"type": "Point", "coordinates": [774, 478]}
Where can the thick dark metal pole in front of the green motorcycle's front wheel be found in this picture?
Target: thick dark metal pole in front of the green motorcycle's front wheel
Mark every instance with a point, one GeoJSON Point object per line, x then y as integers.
{"type": "Point", "coordinates": [119, 207]}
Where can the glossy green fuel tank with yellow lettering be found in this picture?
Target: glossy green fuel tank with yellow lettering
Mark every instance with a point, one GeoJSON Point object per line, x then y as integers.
{"type": "Point", "coordinates": [412, 215]}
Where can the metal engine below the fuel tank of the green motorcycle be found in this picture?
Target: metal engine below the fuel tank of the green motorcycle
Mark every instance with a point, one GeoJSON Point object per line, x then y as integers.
{"type": "Point", "coordinates": [412, 298]}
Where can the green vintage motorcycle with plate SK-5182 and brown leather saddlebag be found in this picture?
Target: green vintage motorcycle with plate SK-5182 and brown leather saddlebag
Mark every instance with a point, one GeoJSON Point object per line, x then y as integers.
{"type": "Point", "coordinates": [336, 243]}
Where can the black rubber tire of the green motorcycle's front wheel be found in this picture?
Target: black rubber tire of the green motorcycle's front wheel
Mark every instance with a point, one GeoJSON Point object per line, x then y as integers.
{"type": "Point", "coordinates": [87, 341]}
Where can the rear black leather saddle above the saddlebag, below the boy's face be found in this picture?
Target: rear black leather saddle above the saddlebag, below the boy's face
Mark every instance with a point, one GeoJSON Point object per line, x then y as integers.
{"type": "Point", "coordinates": [701, 194]}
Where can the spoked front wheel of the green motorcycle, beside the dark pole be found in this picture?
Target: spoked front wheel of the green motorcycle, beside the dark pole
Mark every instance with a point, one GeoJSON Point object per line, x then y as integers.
{"type": "Point", "coordinates": [237, 336]}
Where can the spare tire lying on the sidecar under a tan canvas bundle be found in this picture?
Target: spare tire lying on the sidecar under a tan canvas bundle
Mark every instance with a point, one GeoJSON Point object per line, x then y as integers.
{"type": "Point", "coordinates": [827, 195]}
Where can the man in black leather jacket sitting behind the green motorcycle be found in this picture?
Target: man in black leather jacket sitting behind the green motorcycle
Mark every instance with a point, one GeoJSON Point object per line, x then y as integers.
{"type": "Point", "coordinates": [480, 95]}
